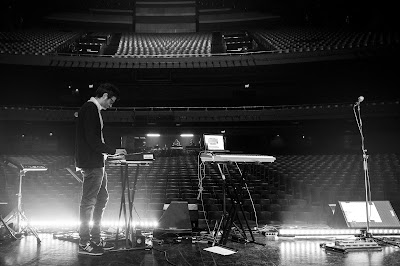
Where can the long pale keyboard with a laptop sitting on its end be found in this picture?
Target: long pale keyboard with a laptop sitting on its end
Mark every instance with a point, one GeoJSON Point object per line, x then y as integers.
{"type": "Point", "coordinates": [240, 158]}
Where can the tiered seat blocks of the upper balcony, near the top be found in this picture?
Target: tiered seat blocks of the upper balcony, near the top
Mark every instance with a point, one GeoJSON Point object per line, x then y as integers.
{"type": "Point", "coordinates": [282, 40]}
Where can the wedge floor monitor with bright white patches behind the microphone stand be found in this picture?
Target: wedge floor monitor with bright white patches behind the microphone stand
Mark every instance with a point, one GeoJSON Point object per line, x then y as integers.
{"type": "Point", "coordinates": [353, 214]}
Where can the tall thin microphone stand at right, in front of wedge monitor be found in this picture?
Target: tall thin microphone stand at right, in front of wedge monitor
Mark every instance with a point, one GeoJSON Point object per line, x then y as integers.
{"type": "Point", "coordinates": [357, 115]}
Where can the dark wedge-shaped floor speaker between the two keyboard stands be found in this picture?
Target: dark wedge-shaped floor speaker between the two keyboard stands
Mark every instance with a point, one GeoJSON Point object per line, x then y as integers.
{"type": "Point", "coordinates": [175, 221]}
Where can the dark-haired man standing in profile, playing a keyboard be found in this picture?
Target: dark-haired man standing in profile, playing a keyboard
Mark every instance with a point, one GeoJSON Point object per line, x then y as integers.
{"type": "Point", "coordinates": [90, 154]}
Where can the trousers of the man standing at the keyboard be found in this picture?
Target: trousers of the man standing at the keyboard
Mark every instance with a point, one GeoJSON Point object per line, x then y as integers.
{"type": "Point", "coordinates": [93, 202]}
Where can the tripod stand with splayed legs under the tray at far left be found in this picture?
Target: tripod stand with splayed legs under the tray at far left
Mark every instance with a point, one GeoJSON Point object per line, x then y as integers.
{"type": "Point", "coordinates": [17, 216]}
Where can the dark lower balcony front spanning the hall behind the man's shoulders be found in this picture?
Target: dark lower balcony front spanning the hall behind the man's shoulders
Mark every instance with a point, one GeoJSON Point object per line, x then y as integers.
{"type": "Point", "coordinates": [203, 114]}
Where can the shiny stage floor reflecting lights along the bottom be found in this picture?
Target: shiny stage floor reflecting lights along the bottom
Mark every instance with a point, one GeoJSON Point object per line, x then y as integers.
{"type": "Point", "coordinates": [283, 251]}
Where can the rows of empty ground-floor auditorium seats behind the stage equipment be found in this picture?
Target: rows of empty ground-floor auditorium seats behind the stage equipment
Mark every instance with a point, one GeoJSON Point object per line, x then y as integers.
{"type": "Point", "coordinates": [293, 189]}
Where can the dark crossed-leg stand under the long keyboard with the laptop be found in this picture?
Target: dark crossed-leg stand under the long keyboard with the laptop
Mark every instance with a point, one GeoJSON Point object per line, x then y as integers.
{"type": "Point", "coordinates": [234, 192]}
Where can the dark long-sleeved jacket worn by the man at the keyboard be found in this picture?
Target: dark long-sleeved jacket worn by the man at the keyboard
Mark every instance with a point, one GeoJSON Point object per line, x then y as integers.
{"type": "Point", "coordinates": [89, 148]}
